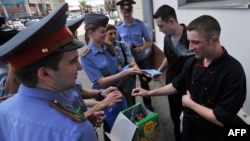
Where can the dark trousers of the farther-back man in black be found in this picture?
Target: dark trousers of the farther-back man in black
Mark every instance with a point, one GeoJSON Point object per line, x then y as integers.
{"type": "Point", "coordinates": [175, 108]}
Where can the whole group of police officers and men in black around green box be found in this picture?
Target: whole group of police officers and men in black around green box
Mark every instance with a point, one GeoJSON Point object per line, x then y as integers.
{"type": "Point", "coordinates": [42, 98]}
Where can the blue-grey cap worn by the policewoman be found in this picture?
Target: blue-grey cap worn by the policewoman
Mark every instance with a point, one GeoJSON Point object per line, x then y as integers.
{"type": "Point", "coordinates": [96, 19]}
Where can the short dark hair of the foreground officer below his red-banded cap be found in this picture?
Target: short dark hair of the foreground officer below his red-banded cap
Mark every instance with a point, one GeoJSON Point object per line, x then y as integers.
{"type": "Point", "coordinates": [28, 74]}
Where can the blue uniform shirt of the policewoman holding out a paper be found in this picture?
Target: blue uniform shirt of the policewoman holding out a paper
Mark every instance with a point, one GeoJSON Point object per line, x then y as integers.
{"type": "Point", "coordinates": [97, 64]}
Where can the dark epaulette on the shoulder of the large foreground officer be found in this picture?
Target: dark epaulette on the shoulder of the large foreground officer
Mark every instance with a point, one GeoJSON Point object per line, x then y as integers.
{"type": "Point", "coordinates": [79, 117]}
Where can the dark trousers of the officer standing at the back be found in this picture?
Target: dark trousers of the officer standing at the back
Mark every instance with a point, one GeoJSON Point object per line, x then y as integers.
{"type": "Point", "coordinates": [144, 84]}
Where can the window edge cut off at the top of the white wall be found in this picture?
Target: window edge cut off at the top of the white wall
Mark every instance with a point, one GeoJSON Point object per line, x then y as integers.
{"type": "Point", "coordinates": [213, 4]}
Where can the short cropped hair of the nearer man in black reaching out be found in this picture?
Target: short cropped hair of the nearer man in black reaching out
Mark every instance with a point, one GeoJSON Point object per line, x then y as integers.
{"type": "Point", "coordinates": [205, 25]}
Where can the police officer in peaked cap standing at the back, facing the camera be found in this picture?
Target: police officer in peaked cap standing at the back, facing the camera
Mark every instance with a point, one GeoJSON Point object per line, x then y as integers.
{"type": "Point", "coordinates": [135, 33]}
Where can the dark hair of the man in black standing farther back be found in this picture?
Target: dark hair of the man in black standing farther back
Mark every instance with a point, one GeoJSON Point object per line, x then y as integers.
{"type": "Point", "coordinates": [165, 12]}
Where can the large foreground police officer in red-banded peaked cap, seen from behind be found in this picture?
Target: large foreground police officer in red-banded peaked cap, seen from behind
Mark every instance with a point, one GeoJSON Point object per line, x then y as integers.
{"type": "Point", "coordinates": [46, 61]}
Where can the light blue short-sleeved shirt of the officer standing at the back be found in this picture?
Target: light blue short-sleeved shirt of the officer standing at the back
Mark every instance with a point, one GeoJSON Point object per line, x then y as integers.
{"type": "Point", "coordinates": [135, 34]}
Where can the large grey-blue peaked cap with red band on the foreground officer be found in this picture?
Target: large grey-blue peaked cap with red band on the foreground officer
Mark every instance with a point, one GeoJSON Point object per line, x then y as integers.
{"type": "Point", "coordinates": [39, 40]}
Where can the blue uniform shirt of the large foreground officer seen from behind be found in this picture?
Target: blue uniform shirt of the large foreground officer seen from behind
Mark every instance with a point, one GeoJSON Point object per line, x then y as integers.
{"type": "Point", "coordinates": [28, 116]}
